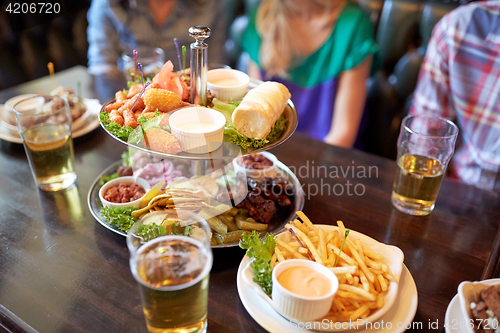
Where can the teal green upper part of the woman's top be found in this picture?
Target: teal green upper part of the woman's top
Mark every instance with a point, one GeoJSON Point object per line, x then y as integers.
{"type": "Point", "coordinates": [349, 44]}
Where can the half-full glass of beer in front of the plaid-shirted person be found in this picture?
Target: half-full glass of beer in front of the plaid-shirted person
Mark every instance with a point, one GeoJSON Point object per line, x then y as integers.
{"type": "Point", "coordinates": [425, 146]}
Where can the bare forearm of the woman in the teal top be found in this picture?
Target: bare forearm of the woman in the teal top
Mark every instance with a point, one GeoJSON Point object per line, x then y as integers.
{"type": "Point", "coordinates": [349, 104]}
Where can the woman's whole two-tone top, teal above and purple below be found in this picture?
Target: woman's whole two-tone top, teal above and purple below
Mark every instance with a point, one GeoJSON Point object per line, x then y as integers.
{"type": "Point", "coordinates": [313, 81]}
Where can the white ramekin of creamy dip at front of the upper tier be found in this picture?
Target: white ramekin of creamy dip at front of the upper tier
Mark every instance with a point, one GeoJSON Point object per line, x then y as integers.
{"type": "Point", "coordinates": [202, 141]}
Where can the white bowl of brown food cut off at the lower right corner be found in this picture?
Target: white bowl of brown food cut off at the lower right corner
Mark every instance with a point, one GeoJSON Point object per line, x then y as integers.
{"type": "Point", "coordinates": [469, 292]}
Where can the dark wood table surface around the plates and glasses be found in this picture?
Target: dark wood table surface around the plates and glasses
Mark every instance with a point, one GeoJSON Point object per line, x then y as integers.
{"type": "Point", "coordinates": [61, 271]}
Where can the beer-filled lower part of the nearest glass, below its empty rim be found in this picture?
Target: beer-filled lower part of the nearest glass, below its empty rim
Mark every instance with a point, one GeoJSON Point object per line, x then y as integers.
{"type": "Point", "coordinates": [172, 272]}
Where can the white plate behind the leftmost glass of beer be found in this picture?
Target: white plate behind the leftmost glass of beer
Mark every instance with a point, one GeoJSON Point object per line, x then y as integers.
{"type": "Point", "coordinates": [91, 122]}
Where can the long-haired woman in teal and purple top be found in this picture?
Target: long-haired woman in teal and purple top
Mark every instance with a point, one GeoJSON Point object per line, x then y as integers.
{"type": "Point", "coordinates": [322, 50]}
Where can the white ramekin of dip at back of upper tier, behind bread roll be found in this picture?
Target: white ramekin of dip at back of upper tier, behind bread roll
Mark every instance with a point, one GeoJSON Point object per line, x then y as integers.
{"type": "Point", "coordinates": [228, 84]}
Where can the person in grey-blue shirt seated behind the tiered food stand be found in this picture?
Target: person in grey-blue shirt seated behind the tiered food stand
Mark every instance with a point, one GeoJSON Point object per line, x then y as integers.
{"type": "Point", "coordinates": [116, 26]}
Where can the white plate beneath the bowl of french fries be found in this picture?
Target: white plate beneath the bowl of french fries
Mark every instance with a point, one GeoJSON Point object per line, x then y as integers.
{"type": "Point", "coordinates": [401, 313]}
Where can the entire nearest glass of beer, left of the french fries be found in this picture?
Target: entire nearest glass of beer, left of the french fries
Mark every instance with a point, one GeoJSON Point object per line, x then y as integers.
{"type": "Point", "coordinates": [172, 270]}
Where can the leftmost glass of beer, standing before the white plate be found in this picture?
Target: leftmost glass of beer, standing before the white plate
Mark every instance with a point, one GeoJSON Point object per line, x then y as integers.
{"type": "Point", "coordinates": [44, 124]}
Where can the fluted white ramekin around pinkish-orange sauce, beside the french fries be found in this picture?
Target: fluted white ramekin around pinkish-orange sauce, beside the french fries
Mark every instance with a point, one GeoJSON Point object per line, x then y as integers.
{"type": "Point", "coordinates": [294, 306]}
